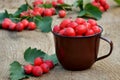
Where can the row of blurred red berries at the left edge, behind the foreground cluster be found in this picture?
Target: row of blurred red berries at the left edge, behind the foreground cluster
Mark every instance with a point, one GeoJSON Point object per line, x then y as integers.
{"type": "Point", "coordinates": [24, 24]}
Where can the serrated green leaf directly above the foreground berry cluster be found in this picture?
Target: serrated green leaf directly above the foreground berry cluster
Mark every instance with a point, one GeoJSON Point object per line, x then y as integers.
{"type": "Point", "coordinates": [30, 54]}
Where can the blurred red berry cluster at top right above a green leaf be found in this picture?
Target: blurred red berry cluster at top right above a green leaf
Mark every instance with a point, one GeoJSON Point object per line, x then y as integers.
{"type": "Point", "coordinates": [101, 4]}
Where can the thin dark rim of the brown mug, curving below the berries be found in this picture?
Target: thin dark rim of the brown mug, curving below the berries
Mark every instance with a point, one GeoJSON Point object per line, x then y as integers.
{"type": "Point", "coordinates": [78, 36]}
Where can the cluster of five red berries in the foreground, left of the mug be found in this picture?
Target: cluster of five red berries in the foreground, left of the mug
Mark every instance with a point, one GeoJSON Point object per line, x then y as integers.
{"type": "Point", "coordinates": [40, 66]}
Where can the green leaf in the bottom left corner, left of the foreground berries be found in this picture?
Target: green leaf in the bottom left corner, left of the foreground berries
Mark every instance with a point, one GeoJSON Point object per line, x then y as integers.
{"type": "Point", "coordinates": [16, 71]}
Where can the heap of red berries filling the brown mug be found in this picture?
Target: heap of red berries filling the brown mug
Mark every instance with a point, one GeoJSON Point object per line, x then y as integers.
{"type": "Point", "coordinates": [77, 27]}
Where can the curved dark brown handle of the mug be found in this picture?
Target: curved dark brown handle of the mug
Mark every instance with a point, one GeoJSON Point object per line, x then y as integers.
{"type": "Point", "coordinates": [111, 48]}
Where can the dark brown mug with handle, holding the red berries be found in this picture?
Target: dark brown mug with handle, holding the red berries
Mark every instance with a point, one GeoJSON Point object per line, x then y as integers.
{"type": "Point", "coordinates": [79, 53]}
